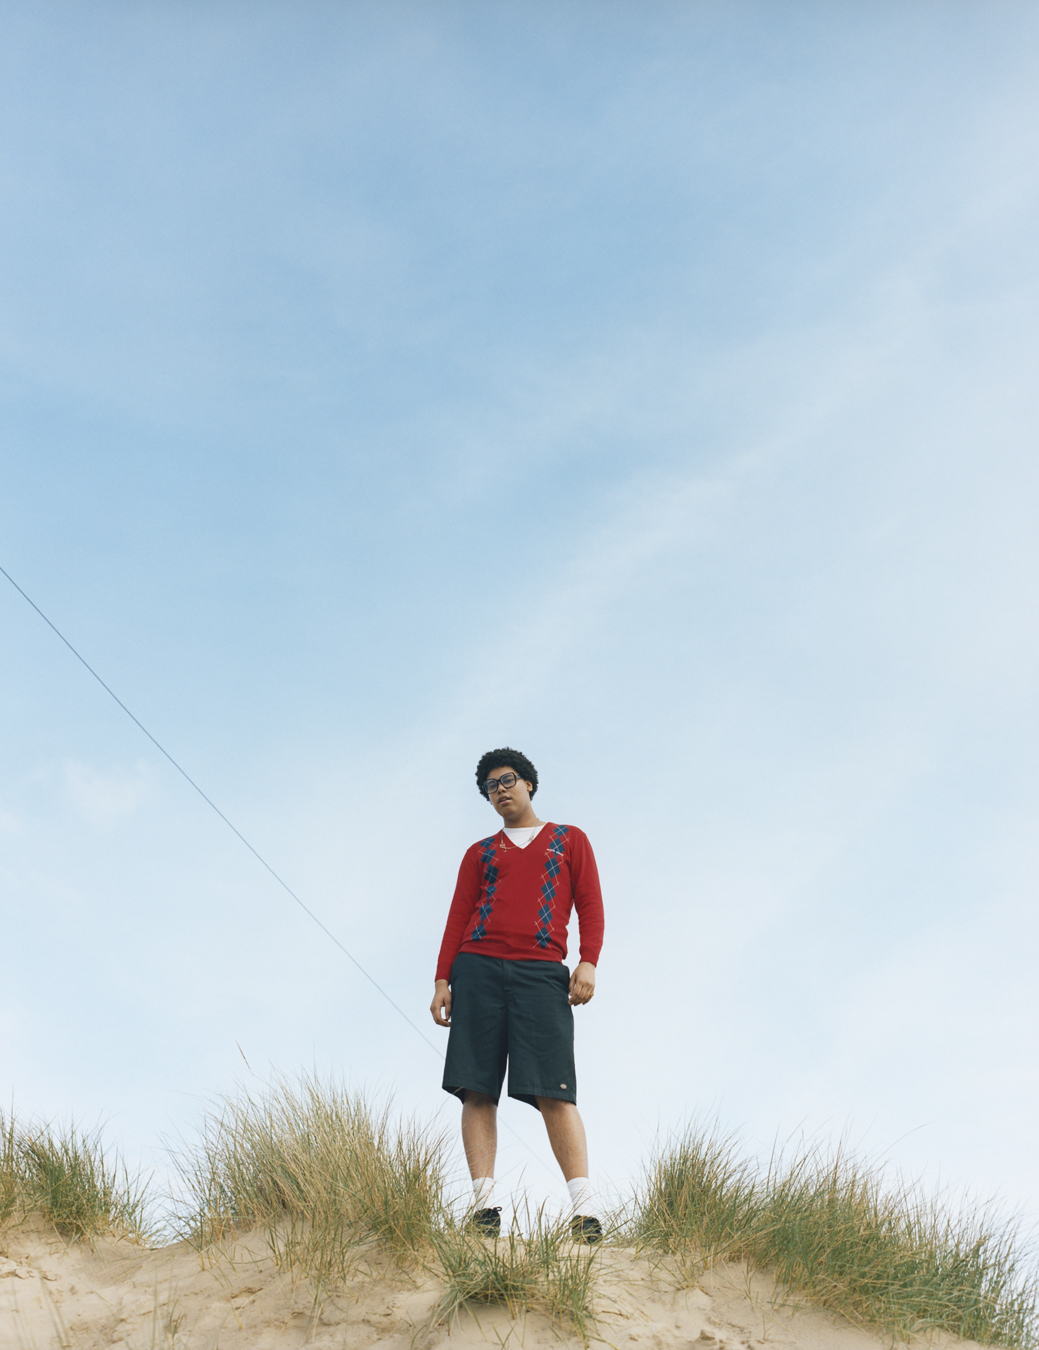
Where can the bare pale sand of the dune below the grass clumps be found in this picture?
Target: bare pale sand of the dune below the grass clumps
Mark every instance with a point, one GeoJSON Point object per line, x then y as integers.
{"type": "Point", "coordinates": [114, 1294]}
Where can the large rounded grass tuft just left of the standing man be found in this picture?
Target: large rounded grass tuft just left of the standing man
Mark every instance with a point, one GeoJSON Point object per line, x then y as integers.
{"type": "Point", "coordinates": [325, 1175]}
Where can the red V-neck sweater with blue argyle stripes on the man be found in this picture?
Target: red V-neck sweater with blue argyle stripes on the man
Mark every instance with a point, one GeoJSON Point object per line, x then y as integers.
{"type": "Point", "coordinates": [515, 902]}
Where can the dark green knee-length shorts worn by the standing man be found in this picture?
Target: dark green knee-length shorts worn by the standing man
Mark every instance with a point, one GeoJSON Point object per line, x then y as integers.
{"type": "Point", "coordinates": [516, 1013]}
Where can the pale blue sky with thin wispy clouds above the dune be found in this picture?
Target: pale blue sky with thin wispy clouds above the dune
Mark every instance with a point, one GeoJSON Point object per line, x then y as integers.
{"type": "Point", "coordinates": [651, 387]}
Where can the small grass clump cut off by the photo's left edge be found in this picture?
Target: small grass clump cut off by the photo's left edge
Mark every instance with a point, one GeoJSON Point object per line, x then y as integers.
{"type": "Point", "coordinates": [65, 1178]}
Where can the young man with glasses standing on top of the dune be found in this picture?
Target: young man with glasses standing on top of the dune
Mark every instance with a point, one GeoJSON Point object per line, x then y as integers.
{"type": "Point", "coordinates": [503, 989]}
